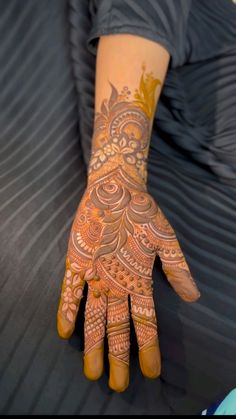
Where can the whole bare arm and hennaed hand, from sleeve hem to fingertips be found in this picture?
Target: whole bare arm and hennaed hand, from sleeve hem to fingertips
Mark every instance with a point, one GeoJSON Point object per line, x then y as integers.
{"type": "Point", "coordinates": [119, 229]}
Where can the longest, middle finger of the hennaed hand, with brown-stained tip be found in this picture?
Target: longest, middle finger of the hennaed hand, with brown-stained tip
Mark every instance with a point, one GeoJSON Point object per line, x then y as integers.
{"type": "Point", "coordinates": [118, 331]}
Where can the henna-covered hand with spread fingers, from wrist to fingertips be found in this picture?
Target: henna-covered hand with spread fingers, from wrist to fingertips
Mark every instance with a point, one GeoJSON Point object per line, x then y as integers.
{"type": "Point", "coordinates": [117, 233]}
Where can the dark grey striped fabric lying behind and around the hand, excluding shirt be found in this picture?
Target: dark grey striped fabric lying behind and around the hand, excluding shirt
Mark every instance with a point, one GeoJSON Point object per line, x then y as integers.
{"type": "Point", "coordinates": [46, 114]}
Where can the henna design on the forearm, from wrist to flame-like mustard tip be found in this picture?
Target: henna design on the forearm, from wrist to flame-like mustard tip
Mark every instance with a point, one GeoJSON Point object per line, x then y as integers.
{"type": "Point", "coordinates": [122, 130]}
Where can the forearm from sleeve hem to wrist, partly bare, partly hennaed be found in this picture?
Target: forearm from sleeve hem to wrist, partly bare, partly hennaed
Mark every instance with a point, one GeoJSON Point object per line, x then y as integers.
{"type": "Point", "coordinates": [130, 73]}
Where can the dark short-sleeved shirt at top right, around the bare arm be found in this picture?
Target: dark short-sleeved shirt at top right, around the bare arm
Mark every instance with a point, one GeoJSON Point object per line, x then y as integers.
{"type": "Point", "coordinates": [195, 122]}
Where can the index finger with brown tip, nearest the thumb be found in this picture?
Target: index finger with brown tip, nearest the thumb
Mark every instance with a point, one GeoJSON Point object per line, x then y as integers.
{"type": "Point", "coordinates": [144, 318]}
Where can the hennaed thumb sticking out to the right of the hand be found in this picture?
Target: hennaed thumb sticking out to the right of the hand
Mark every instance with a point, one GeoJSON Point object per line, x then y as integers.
{"type": "Point", "coordinates": [173, 261]}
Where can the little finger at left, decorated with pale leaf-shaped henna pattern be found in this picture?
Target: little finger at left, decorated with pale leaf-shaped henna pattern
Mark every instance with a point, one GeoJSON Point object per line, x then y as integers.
{"type": "Point", "coordinates": [72, 291]}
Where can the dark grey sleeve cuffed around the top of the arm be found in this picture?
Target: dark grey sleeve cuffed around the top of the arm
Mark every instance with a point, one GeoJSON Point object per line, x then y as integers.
{"type": "Point", "coordinates": [162, 21]}
